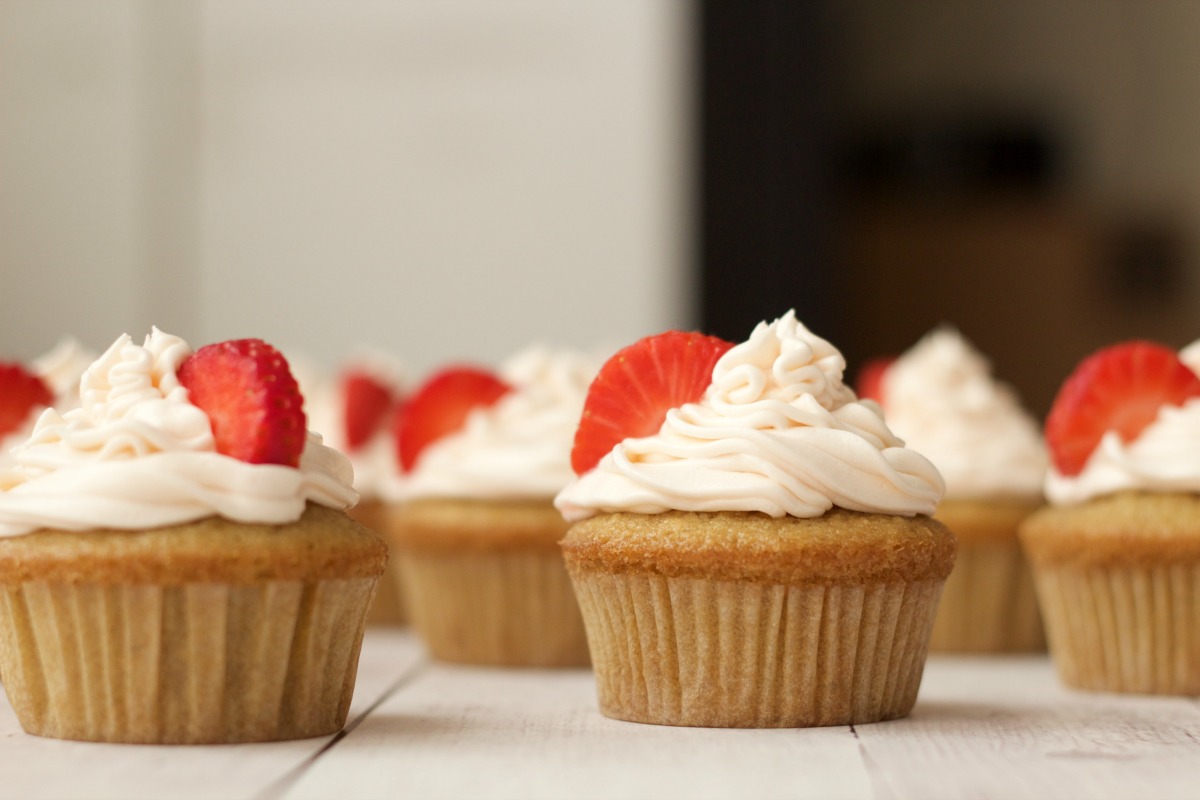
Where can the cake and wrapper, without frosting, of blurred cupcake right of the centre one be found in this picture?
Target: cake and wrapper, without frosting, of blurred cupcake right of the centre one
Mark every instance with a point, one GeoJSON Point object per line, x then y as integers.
{"type": "Point", "coordinates": [989, 604]}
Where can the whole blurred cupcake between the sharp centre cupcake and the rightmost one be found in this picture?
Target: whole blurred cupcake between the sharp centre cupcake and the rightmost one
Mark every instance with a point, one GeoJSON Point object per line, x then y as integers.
{"type": "Point", "coordinates": [940, 398]}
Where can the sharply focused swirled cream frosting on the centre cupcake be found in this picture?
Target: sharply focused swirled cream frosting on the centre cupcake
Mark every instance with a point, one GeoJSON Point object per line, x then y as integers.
{"type": "Point", "coordinates": [777, 432]}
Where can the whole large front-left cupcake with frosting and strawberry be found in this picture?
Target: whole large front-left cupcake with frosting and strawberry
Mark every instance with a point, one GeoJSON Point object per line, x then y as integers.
{"type": "Point", "coordinates": [176, 562]}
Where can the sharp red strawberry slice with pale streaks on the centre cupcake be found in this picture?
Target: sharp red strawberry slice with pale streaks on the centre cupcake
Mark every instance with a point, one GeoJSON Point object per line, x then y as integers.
{"type": "Point", "coordinates": [635, 389]}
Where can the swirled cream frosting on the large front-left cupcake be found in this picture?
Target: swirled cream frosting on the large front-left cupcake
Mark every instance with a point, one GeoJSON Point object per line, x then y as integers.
{"type": "Point", "coordinates": [137, 454]}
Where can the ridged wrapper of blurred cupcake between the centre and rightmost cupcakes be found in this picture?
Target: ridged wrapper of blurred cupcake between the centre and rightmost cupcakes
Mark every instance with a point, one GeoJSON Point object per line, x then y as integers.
{"type": "Point", "coordinates": [989, 604]}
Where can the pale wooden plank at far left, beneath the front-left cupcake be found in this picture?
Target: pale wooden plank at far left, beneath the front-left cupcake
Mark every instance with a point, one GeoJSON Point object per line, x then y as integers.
{"type": "Point", "coordinates": [33, 768]}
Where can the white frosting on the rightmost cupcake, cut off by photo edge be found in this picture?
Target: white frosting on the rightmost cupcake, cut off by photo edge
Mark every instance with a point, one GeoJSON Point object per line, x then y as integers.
{"type": "Point", "coordinates": [1165, 458]}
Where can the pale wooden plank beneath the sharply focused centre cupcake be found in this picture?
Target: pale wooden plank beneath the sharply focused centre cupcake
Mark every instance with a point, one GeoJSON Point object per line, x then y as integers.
{"type": "Point", "coordinates": [458, 732]}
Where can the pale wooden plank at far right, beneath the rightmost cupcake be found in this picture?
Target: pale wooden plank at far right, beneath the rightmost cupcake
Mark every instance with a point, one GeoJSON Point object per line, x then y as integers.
{"type": "Point", "coordinates": [1006, 729]}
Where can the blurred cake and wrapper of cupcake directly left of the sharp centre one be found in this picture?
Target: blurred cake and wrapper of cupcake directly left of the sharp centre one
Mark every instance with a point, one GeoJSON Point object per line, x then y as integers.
{"type": "Point", "coordinates": [485, 584]}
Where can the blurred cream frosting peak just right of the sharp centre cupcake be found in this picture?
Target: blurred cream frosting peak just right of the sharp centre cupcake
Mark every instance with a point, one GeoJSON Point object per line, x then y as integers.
{"type": "Point", "coordinates": [940, 398]}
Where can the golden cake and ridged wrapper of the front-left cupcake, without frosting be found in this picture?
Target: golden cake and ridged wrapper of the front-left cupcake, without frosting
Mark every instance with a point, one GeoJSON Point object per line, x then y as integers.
{"type": "Point", "coordinates": [209, 633]}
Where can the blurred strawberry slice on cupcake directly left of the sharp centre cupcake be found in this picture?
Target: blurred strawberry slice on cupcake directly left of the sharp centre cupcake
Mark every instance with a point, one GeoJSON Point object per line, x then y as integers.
{"type": "Point", "coordinates": [441, 407]}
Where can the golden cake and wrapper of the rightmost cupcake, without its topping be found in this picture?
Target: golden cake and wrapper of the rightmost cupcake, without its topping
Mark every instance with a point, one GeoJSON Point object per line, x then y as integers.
{"type": "Point", "coordinates": [1119, 581]}
